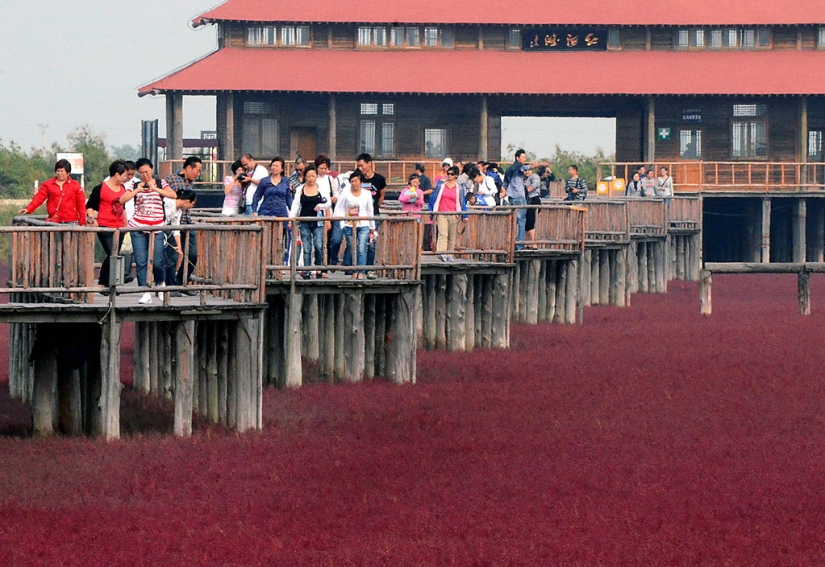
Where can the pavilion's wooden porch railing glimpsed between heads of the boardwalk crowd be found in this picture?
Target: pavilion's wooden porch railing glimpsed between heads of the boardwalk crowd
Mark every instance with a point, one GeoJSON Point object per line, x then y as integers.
{"type": "Point", "coordinates": [396, 172]}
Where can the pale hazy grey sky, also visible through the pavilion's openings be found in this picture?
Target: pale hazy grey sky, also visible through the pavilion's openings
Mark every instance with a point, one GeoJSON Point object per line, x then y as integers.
{"type": "Point", "coordinates": [68, 63]}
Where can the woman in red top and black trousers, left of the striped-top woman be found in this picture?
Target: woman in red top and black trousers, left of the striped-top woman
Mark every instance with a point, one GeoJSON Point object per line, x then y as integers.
{"type": "Point", "coordinates": [105, 209]}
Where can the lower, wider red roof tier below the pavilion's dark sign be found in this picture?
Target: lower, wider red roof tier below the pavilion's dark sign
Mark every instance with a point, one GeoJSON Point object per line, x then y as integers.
{"type": "Point", "coordinates": [590, 73]}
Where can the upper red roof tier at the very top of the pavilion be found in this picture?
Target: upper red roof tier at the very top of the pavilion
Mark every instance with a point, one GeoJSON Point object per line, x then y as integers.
{"type": "Point", "coordinates": [525, 12]}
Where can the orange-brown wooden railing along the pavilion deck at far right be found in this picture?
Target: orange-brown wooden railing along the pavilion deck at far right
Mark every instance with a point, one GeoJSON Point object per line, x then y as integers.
{"type": "Point", "coordinates": [732, 176]}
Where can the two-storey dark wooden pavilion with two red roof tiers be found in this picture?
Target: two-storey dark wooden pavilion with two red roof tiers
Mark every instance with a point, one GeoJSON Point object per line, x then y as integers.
{"type": "Point", "coordinates": [733, 87]}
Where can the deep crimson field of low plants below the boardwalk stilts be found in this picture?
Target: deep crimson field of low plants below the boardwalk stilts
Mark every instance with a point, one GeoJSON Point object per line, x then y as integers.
{"type": "Point", "coordinates": [648, 436]}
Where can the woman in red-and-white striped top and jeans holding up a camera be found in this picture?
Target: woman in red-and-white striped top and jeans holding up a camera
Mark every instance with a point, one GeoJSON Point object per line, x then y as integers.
{"type": "Point", "coordinates": [148, 194]}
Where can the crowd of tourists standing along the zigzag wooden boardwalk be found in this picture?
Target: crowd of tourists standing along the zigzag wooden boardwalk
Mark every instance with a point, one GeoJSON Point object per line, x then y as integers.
{"type": "Point", "coordinates": [132, 196]}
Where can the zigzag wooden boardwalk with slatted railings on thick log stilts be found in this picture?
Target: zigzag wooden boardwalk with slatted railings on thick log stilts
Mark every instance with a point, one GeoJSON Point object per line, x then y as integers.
{"type": "Point", "coordinates": [253, 320]}
